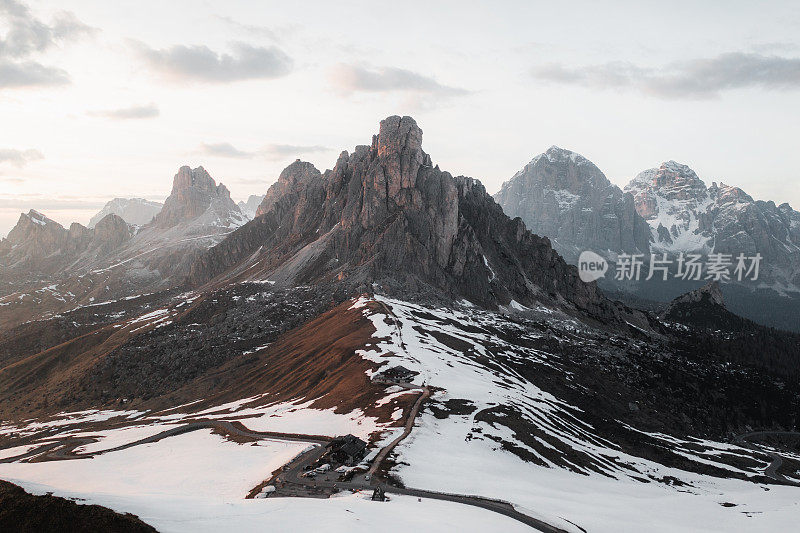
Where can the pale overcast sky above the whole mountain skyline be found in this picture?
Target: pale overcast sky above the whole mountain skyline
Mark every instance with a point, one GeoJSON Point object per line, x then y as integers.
{"type": "Point", "coordinates": [108, 99]}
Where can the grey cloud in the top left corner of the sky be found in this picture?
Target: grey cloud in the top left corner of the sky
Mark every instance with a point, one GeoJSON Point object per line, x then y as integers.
{"type": "Point", "coordinates": [26, 35]}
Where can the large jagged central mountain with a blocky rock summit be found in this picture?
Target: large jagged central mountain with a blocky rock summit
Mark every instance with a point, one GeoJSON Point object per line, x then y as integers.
{"type": "Point", "coordinates": [385, 214]}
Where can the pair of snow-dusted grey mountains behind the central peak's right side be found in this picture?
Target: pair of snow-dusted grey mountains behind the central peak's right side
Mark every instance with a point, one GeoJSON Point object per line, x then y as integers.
{"type": "Point", "coordinates": [664, 210]}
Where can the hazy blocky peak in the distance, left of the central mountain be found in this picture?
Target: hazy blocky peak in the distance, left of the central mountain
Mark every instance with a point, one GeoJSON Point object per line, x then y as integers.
{"type": "Point", "coordinates": [195, 194]}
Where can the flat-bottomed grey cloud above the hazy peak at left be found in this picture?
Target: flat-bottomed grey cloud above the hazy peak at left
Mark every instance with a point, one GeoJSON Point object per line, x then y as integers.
{"type": "Point", "coordinates": [200, 63]}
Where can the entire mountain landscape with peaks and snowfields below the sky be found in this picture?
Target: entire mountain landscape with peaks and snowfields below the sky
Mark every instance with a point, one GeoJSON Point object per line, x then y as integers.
{"type": "Point", "coordinates": [386, 329]}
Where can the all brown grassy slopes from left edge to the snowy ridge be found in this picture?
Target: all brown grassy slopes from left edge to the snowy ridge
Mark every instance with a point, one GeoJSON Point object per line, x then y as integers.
{"type": "Point", "coordinates": [315, 361]}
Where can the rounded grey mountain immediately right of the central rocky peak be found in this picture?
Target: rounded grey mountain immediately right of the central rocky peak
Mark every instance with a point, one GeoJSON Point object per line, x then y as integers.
{"type": "Point", "coordinates": [564, 196]}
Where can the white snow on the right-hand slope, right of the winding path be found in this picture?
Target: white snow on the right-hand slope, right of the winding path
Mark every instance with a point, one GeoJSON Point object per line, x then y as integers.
{"type": "Point", "coordinates": [492, 432]}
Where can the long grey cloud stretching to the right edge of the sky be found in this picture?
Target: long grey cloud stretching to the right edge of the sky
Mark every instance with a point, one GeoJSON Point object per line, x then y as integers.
{"type": "Point", "coordinates": [690, 79]}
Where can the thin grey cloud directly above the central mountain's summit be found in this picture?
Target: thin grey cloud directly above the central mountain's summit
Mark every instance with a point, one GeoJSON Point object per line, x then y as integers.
{"type": "Point", "coordinates": [349, 79]}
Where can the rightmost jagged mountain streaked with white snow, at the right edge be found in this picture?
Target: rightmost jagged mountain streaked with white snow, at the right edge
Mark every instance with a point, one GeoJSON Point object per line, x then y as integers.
{"type": "Point", "coordinates": [686, 216]}
